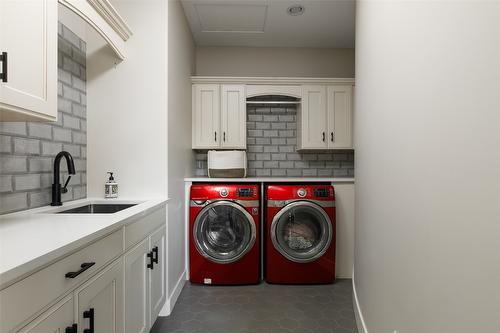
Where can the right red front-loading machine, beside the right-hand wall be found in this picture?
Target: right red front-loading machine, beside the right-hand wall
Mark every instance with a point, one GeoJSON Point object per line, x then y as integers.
{"type": "Point", "coordinates": [300, 239]}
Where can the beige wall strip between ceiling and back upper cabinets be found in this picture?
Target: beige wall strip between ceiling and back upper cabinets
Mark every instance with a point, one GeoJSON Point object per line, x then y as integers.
{"type": "Point", "coordinates": [274, 61]}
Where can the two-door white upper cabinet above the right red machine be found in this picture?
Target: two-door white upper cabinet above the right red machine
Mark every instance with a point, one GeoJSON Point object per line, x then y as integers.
{"type": "Point", "coordinates": [325, 119]}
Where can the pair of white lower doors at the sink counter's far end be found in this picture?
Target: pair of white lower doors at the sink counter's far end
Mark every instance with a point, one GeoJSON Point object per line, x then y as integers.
{"type": "Point", "coordinates": [145, 282]}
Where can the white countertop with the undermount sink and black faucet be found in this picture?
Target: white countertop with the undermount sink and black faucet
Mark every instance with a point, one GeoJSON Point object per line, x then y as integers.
{"type": "Point", "coordinates": [35, 238]}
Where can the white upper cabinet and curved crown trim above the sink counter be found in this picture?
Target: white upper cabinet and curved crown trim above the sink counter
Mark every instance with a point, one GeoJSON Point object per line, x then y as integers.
{"type": "Point", "coordinates": [28, 52]}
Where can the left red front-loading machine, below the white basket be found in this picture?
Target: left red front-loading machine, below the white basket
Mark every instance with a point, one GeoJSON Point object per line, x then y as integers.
{"type": "Point", "coordinates": [224, 234]}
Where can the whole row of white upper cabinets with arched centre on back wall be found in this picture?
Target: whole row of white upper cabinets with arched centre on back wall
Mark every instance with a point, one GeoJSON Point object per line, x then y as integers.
{"type": "Point", "coordinates": [324, 115]}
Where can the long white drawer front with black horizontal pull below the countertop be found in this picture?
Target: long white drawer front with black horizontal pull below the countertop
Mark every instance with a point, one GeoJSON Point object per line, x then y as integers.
{"type": "Point", "coordinates": [29, 296]}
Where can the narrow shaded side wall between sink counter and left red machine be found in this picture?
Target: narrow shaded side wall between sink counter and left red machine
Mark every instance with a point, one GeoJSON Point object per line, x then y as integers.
{"type": "Point", "coordinates": [181, 51]}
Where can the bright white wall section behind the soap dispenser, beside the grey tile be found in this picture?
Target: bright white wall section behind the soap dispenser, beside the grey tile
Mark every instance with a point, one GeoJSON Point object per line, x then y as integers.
{"type": "Point", "coordinates": [127, 106]}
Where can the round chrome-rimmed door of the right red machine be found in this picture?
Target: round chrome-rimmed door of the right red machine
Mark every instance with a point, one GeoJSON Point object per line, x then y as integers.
{"type": "Point", "coordinates": [301, 231]}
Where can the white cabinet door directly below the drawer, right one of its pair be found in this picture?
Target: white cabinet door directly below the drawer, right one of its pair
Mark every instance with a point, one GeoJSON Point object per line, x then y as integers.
{"type": "Point", "coordinates": [99, 301]}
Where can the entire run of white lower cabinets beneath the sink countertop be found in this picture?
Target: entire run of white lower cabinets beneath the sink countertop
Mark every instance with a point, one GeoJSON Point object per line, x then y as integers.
{"type": "Point", "coordinates": [116, 284]}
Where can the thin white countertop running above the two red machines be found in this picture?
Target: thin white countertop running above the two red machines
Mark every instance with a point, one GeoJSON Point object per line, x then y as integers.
{"type": "Point", "coordinates": [271, 180]}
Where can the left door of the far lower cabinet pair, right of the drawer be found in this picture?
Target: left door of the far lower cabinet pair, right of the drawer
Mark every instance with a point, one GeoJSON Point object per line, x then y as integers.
{"type": "Point", "coordinates": [137, 288]}
